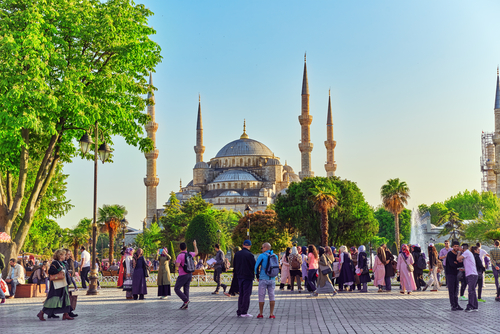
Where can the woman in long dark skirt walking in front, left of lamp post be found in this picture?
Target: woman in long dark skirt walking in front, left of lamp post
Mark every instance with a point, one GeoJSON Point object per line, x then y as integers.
{"type": "Point", "coordinates": [57, 299]}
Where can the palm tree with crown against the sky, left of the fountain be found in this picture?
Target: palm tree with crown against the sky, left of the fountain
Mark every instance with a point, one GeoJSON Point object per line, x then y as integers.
{"type": "Point", "coordinates": [395, 196]}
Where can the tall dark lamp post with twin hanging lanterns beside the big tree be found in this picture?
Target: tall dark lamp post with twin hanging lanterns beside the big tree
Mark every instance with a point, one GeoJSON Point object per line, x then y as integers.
{"type": "Point", "coordinates": [103, 151]}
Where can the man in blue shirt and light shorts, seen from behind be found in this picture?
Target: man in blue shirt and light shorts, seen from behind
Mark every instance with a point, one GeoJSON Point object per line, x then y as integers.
{"type": "Point", "coordinates": [265, 282]}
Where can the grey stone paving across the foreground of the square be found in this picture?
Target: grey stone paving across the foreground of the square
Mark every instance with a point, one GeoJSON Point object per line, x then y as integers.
{"type": "Point", "coordinates": [110, 312]}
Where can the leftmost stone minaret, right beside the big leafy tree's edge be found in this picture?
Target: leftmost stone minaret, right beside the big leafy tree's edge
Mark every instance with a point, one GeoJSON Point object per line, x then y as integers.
{"type": "Point", "coordinates": [151, 181]}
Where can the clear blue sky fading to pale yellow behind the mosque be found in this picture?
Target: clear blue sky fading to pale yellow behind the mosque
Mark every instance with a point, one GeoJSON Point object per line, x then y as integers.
{"type": "Point", "coordinates": [412, 85]}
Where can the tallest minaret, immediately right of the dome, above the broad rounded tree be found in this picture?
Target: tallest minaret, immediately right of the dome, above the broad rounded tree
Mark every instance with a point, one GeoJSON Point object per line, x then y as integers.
{"type": "Point", "coordinates": [305, 121]}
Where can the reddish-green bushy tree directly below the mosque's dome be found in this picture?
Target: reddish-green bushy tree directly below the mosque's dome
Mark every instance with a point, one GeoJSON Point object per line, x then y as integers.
{"type": "Point", "coordinates": [264, 227]}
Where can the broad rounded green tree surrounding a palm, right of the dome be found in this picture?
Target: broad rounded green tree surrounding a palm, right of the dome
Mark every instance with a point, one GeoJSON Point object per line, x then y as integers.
{"type": "Point", "coordinates": [351, 221]}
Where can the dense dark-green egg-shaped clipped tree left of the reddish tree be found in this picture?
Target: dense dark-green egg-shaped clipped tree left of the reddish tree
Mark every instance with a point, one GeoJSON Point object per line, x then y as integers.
{"type": "Point", "coordinates": [203, 228]}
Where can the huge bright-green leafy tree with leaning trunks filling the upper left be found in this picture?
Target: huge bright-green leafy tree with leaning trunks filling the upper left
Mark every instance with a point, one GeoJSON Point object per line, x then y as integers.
{"type": "Point", "coordinates": [65, 66]}
